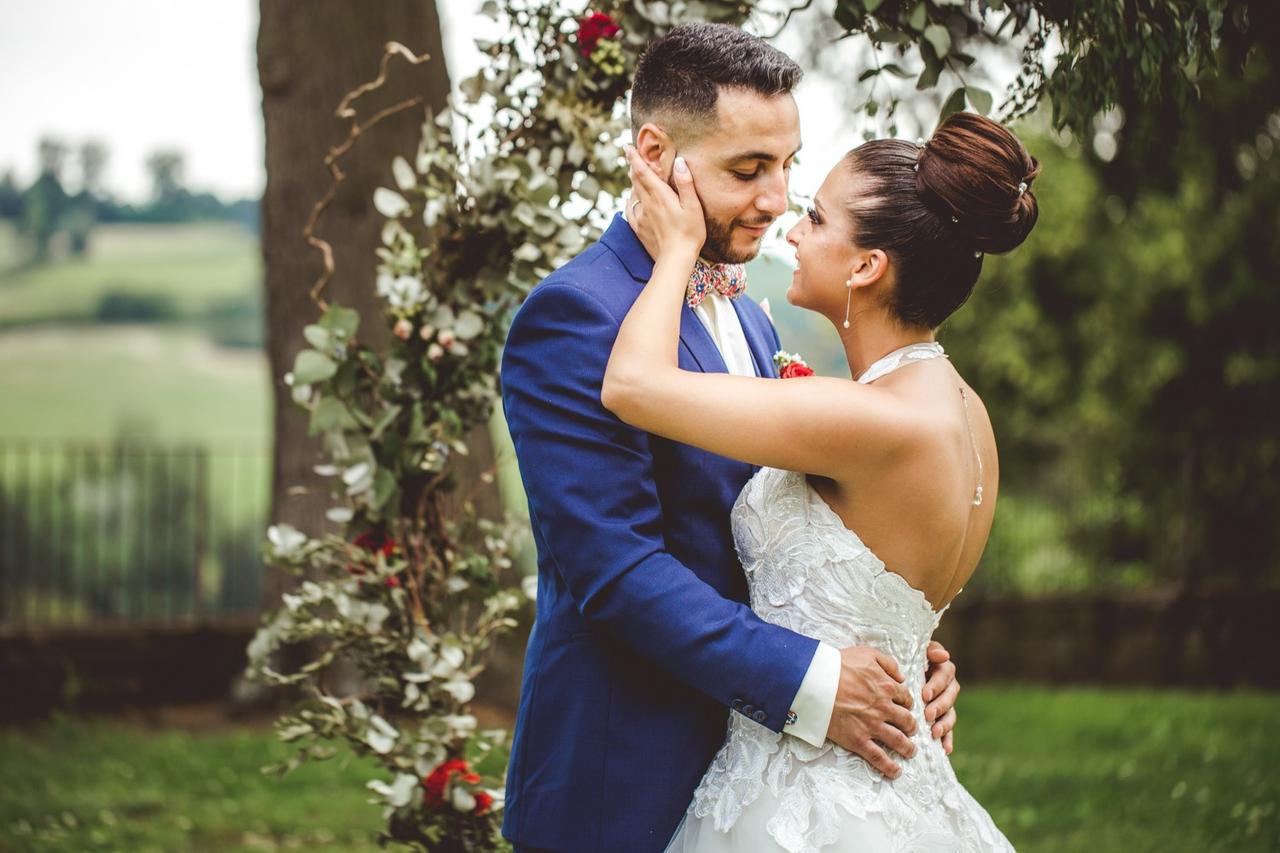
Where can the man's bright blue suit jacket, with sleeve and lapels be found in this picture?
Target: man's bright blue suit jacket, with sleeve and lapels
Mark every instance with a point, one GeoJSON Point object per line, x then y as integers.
{"type": "Point", "coordinates": [643, 640]}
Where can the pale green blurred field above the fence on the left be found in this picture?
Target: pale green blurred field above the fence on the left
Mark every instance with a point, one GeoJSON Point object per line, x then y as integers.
{"type": "Point", "coordinates": [67, 378]}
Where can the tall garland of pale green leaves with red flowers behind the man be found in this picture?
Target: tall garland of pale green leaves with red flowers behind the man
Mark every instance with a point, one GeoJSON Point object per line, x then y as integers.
{"type": "Point", "coordinates": [508, 184]}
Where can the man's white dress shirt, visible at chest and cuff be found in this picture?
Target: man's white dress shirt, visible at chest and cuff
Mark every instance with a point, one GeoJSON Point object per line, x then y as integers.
{"type": "Point", "coordinates": [816, 700]}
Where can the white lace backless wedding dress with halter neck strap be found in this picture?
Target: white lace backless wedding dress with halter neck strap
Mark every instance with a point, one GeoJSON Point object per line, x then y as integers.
{"type": "Point", "coordinates": [767, 792]}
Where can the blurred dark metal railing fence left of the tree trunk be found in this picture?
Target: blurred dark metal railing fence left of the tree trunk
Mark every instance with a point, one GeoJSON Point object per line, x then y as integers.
{"type": "Point", "coordinates": [130, 531]}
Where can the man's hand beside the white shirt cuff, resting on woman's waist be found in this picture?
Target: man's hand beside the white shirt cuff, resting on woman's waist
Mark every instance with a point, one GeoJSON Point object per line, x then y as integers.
{"type": "Point", "coordinates": [874, 709]}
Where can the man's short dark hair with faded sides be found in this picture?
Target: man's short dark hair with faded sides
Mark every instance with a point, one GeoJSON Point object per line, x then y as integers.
{"type": "Point", "coordinates": [679, 76]}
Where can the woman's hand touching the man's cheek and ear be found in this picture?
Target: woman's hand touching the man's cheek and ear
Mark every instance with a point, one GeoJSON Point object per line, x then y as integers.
{"type": "Point", "coordinates": [665, 220]}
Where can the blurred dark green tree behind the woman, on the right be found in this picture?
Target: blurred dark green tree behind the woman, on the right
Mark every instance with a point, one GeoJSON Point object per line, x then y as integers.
{"type": "Point", "coordinates": [1127, 352]}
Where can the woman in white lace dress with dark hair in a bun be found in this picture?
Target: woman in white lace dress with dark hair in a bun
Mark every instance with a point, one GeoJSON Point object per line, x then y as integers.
{"type": "Point", "coordinates": [875, 498]}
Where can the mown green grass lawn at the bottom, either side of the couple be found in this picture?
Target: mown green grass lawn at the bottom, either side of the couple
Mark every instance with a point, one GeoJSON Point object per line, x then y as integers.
{"type": "Point", "coordinates": [1099, 772]}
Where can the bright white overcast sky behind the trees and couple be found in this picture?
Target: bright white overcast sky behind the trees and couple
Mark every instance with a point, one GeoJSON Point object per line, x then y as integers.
{"type": "Point", "coordinates": [182, 75]}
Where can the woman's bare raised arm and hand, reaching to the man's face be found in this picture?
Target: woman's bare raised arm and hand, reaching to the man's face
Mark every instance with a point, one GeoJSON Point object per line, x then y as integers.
{"type": "Point", "coordinates": [810, 425]}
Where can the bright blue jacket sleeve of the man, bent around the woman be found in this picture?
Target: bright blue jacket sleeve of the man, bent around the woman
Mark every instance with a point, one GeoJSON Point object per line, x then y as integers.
{"type": "Point", "coordinates": [592, 495]}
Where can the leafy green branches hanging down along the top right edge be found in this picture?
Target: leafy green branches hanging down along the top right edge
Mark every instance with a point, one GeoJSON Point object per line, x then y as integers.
{"type": "Point", "coordinates": [1154, 51]}
